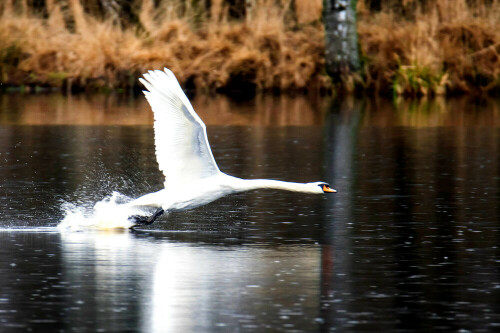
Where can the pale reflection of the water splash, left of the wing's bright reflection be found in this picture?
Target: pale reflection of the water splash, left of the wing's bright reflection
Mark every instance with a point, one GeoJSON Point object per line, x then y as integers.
{"type": "Point", "coordinates": [108, 273]}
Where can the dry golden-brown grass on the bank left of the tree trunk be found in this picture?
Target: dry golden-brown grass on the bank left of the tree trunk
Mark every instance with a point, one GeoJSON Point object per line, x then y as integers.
{"type": "Point", "coordinates": [261, 53]}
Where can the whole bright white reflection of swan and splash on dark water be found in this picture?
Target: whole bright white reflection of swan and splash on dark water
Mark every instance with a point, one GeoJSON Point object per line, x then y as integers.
{"type": "Point", "coordinates": [155, 284]}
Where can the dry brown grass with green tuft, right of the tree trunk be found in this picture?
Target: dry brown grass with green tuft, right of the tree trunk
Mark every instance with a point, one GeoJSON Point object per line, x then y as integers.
{"type": "Point", "coordinates": [450, 47]}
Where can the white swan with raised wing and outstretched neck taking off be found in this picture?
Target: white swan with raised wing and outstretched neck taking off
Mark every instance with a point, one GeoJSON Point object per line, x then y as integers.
{"type": "Point", "coordinates": [192, 178]}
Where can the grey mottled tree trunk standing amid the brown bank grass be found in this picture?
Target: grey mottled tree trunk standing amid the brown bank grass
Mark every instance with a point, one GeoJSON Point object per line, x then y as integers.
{"type": "Point", "coordinates": [342, 52]}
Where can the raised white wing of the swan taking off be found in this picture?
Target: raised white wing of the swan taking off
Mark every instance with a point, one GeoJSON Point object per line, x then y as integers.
{"type": "Point", "coordinates": [182, 148]}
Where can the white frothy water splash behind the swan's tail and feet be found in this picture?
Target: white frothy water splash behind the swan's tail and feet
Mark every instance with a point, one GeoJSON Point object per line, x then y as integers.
{"type": "Point", "coordinates": [109, 213]}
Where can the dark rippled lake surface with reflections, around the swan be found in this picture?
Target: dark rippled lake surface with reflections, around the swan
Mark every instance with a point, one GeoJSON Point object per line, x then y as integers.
{"type": "Point", "coordinates": [409, 243]}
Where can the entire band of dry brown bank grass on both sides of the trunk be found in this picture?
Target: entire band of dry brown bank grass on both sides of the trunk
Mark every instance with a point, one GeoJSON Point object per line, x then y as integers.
{"type": "Point", "coordinates": [447, 47]}
